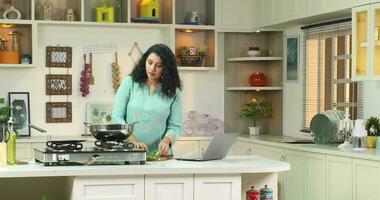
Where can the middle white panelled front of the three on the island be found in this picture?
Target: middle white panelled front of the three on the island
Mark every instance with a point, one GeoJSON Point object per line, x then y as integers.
{"type": "Point", "coordinates": [168, 187]}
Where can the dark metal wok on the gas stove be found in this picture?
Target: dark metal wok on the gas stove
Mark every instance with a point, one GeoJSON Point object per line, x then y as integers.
{"type": "Point", "coordinates": [111, 132]}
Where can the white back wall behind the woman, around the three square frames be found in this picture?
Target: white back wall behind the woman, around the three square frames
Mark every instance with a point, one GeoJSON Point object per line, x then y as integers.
{"type": "Point", "coordinates": [203, 91]}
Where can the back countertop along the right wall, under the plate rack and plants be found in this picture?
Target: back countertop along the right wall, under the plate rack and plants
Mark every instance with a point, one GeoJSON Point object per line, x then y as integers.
{"type": "Point", "coordinates": [332, 149]}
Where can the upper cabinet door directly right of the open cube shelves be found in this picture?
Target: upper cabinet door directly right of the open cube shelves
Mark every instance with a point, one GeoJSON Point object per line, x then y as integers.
{"type": "Point", "coordinates": [235, 15]}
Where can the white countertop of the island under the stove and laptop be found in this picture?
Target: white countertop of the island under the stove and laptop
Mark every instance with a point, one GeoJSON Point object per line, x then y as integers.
{"type": "Point", "coordinates": [229, 165]}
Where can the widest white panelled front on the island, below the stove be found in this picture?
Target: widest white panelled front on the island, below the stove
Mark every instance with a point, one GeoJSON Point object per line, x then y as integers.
{"type": "Point", "coordinates": [108, 188]}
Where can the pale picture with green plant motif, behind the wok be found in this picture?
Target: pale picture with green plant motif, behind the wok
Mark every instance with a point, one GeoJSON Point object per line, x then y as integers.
{"type": "Point", "coordinates": [99, 113]}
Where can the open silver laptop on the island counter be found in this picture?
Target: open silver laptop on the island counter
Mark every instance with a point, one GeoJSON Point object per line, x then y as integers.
{"type": "Point", "coordinates": [217, 149]}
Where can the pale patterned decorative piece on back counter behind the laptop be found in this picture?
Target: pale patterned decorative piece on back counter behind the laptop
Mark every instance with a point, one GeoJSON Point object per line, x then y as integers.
{"type": "Point", "coordinates": [202, 124]}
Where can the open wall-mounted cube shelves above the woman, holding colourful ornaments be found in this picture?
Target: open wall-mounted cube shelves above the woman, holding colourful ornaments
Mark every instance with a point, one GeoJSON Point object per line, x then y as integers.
{"type": "Point", "coordinates": [172, 17]}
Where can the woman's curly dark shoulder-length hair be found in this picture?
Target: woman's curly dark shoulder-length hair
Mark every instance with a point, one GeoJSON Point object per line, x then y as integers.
{"type": "Point", "coordinates": [170, 80]}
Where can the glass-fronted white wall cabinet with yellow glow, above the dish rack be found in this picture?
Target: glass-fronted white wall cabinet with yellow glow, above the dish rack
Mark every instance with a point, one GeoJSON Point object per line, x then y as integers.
{"type": "Point", "coordinates": [366, 42]}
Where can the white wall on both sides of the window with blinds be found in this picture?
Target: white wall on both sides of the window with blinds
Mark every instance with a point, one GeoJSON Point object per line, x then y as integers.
{"type": "Point", "coordinates": [293, 96]}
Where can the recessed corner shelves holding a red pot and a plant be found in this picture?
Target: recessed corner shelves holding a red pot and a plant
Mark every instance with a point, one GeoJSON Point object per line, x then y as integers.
{"type": "Point", "coordinates": [237, 70]}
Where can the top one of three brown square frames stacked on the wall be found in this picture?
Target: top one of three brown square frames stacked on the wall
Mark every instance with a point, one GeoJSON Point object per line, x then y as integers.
{"type": "Point", "coordinates": [58, 56]}
